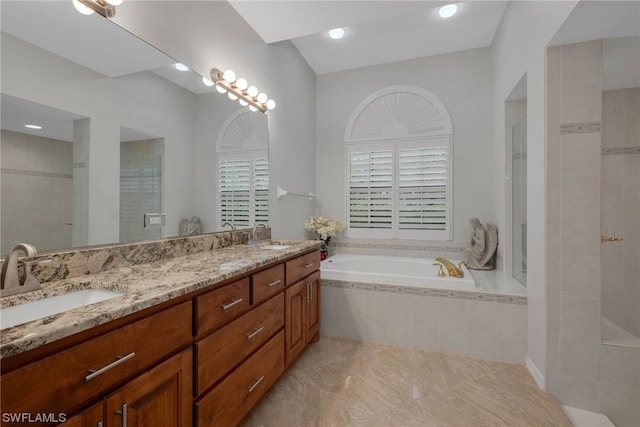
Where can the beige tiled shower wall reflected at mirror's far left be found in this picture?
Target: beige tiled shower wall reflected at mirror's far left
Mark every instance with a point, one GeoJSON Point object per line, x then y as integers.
{"type": "Point", "coordinates": [37, 188]}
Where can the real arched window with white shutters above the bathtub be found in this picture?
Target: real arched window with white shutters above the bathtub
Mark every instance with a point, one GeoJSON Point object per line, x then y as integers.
{"type": "Point", "coordinates": [399, 171]}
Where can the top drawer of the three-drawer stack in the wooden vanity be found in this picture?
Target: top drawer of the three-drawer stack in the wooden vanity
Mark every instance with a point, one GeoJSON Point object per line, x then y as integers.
{"type": "Point", "coordinates": [221, 306]}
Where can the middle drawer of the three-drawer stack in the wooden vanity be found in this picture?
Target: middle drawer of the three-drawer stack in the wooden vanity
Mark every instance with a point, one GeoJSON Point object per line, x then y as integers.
{"type": "Point", "coordinates": [218, 353]}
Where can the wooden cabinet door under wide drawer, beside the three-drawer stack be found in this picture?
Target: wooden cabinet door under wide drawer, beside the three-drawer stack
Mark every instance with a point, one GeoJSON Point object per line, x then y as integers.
{"type": "Point", "coordinates": [159, 397]}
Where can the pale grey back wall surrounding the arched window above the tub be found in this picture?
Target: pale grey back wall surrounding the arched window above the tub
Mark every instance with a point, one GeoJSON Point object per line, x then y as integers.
{"type": "Point", "coordinates": [462, 81]}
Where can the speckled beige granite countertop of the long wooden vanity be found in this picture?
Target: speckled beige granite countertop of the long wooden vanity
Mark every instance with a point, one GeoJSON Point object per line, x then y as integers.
{"type": "Point", "coordinates": [142, 286]}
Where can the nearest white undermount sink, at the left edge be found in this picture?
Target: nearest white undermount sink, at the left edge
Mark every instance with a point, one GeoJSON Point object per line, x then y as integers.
{"type": "Point", "coordinates": [23, 313]}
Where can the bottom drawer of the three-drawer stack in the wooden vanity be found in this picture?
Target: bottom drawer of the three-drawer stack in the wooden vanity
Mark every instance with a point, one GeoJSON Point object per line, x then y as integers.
{"type": "Point", "coordinates": [231, 400]}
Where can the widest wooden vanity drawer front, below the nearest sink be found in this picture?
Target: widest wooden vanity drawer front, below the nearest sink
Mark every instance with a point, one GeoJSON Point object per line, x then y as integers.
{"type": "Point", "coordinates": [67, 380]}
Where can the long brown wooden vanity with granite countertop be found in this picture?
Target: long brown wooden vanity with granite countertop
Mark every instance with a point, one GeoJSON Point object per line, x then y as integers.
{"type": "Point", "coordinates": [192, 340]}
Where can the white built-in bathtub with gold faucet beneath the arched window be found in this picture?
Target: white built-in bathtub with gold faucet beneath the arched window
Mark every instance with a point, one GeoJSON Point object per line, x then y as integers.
{"type": "Point", "coordinates": [388, 270]}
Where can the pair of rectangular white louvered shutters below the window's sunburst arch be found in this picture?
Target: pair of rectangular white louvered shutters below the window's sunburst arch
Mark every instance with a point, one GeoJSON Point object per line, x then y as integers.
{"type": "Point", "coordinates": [399, 189]}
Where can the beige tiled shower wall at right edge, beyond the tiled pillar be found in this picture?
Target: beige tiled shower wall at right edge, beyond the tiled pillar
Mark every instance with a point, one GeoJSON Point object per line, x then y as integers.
{"type": "Point", "coordinates": [621, 207]}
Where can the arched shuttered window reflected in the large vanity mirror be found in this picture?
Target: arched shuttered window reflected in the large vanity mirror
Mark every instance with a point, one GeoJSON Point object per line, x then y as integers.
{"type": "Point", "coordinates": [242, 170]}
